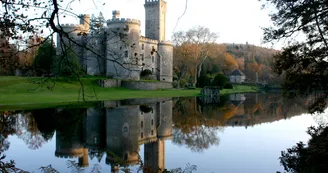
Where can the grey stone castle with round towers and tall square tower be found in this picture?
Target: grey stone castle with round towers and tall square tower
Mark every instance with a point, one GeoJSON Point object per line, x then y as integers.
{"type": "Point", "coordinates": [118, 50]}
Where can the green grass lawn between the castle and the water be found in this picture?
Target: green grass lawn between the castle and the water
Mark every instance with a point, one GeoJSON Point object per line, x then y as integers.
{"type": "Point", "coordinates": [34, 92]}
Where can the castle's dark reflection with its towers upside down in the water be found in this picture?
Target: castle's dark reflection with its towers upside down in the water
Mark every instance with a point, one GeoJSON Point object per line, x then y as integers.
{"type": "Point", "coordinates": [119, 128]}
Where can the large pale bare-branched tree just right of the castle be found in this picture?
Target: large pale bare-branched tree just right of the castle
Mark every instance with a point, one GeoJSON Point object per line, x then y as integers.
{"type": "Point", "coordinates": [201, 39]}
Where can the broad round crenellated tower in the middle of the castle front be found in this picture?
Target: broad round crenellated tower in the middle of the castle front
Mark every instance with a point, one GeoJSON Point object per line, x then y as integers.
{"type": "Point", "coordinates": [123, 50]}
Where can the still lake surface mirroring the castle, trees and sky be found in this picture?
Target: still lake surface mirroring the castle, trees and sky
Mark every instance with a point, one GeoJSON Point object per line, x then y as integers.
{"type": "Point", "coordinates": [238, 133]}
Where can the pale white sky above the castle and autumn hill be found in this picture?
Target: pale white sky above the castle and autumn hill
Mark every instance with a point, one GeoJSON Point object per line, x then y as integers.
{"type": "Point", "coordinates": [235, 21]}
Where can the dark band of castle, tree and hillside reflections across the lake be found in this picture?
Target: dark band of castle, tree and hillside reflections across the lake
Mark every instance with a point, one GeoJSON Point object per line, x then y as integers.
{"type": "Point", "coordinates": [117, 129]}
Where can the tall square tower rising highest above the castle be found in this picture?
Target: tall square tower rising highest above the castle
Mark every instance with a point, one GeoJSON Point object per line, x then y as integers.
{"type": "Point", "coordinates": [155, 19]}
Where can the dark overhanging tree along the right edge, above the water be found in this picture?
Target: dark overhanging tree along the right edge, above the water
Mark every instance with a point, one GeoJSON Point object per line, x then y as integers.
{"type": "Point", "coordinates": [304, 62]}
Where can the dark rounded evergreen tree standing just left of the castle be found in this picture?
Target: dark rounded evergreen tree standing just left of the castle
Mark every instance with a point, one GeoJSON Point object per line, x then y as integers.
{"type": "Point", "coordinates": [44, 60]}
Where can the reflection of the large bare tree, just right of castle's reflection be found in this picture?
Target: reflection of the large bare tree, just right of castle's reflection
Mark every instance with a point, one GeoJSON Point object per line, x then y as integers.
{"type": "Point", "coordinates": [192, 128]}
